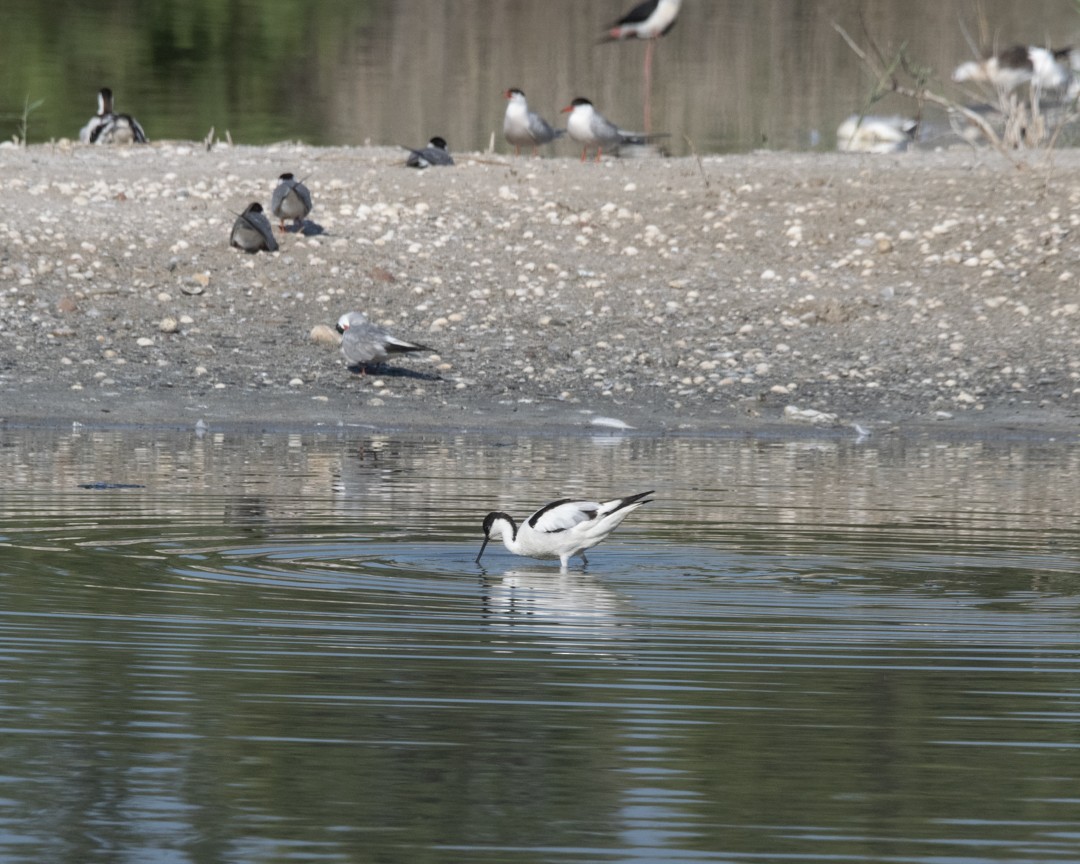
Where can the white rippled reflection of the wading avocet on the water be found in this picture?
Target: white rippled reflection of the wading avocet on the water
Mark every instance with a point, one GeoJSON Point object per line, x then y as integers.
{"type": "Point", "coordinates": [548, 597]}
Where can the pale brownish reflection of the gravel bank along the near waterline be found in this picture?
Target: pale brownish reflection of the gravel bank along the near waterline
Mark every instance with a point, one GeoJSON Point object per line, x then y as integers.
{"type": "Point", "coordinates": [430, 489]}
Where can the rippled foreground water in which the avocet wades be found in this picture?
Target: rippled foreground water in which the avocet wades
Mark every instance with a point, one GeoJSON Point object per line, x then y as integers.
{"type": "Point", "coordinates": [258, 647]}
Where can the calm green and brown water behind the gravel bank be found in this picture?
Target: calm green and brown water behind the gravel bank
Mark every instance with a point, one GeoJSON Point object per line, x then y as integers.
{"type": "Point", "coordinates": [732, 76]}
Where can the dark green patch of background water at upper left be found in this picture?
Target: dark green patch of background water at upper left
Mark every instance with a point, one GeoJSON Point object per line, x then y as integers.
{"type": "Point", "coordinates": [163, 58]}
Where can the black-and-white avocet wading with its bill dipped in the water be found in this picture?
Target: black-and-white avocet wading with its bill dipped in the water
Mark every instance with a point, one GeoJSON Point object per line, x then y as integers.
{"type": "Point", "coordinates": [561, 530]}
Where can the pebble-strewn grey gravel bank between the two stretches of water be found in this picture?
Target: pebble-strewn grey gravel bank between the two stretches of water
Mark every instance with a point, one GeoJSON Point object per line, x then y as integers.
{"type": "Point", "coordinates": [732, 294]}
